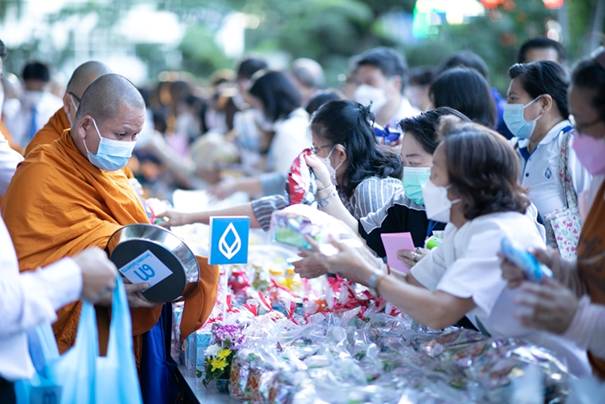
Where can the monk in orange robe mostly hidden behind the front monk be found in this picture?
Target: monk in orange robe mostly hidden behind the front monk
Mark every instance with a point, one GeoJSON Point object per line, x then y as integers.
{"type": "Point", "coordinates": [81, 78]}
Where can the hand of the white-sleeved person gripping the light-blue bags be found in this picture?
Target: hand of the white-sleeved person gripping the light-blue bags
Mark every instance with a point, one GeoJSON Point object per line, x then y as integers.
{"type": "Point", "coordinates": [98, 274]}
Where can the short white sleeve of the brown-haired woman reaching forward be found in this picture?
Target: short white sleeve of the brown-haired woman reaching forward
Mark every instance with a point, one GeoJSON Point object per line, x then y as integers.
{"type": "Point", "coordinates": [476, 274]}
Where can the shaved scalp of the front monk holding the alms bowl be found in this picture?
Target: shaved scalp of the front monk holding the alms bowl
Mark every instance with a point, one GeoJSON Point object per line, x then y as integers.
{"type": "Point", "coordinates": [107, 96]}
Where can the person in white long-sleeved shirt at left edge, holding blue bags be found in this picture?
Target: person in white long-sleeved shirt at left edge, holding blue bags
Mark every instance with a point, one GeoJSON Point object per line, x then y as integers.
{"type": "Point", "coordinates": [31, 298]}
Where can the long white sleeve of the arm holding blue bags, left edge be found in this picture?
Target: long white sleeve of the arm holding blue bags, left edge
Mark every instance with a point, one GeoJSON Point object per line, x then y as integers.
{"type": "Point", "coordinates": [31, 298]}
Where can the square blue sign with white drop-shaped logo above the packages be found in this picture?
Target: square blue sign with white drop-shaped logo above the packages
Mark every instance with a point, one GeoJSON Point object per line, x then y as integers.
{"type": "Point", "coordinates": [229, 240]}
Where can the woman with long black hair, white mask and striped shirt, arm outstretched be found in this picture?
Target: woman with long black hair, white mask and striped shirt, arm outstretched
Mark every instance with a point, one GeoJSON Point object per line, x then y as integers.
{"type": "Point", "coordinates": [348, 163]}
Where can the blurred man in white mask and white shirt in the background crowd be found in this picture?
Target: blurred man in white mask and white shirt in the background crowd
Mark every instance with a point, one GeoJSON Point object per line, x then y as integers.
{"type": "Point", "coordinates": [380, 74]}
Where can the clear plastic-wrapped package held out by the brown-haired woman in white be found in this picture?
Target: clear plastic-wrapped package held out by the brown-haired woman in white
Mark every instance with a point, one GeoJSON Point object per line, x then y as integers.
{"type": "Point", "coordinates": [292, 225]}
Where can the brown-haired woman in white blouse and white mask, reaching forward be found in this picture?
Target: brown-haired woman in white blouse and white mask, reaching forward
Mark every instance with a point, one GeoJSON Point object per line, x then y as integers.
{"type": "Point", "coordinates": [474, 188]}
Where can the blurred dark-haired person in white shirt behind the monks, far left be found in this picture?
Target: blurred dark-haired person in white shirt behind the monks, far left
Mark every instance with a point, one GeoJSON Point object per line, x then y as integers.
{"type": "Point", "coordinates": [37, 104]}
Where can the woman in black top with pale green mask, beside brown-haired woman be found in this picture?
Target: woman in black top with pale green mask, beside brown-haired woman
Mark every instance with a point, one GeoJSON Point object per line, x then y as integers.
{"type": "Point", "coordinates": [405, 211]}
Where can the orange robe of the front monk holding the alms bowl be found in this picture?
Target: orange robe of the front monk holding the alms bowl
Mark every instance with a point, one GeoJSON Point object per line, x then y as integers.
{"type": "Point", "coordinates": [58, 204]}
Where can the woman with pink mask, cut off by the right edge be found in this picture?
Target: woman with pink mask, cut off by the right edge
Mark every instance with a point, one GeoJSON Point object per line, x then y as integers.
{"type": "Point", "coordinates": [573, 304]}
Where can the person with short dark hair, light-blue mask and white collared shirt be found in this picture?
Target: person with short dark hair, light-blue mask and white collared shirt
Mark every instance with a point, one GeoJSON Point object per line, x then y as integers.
{"type": "Point", "coordinates": [537, 114]}
